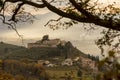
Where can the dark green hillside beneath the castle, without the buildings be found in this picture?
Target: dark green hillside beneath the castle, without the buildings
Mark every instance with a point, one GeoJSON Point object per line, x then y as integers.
{"type": "Point", "coordinates": [15, 52]}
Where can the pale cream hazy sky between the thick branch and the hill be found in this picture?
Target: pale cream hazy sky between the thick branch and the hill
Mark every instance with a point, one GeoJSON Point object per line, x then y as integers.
{"type": "Point", "coordinates": [82, 39]}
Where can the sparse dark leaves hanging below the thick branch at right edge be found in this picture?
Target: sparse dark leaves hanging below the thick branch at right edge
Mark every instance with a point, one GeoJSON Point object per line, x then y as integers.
{"type": "Point", "coordinates": [110, 39]}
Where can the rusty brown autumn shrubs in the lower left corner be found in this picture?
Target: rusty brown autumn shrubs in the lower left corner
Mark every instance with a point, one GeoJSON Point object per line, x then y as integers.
{"type": "Point", "coordinates": [20, 68]}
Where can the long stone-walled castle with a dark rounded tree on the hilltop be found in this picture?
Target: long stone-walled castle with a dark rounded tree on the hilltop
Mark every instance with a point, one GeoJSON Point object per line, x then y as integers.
{"type": "Point", "coordinates": [46, 42]}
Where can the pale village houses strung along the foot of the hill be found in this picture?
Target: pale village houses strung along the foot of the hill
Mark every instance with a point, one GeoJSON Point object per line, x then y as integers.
{"type": "Point", "coordinates": [84, 62]}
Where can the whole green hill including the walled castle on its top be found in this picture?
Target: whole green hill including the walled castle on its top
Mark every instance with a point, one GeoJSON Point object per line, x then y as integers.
{"type": "Point", "coordinates": [43, 49]}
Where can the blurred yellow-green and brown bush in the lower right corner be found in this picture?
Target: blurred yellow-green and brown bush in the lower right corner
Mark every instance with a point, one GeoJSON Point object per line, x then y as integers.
{"type": "Point", "coordinates": [110, 67]}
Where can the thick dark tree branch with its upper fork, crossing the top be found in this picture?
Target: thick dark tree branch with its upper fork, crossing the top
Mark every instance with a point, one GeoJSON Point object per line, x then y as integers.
{"type": "Point", "coordinates": [89, 17]}
